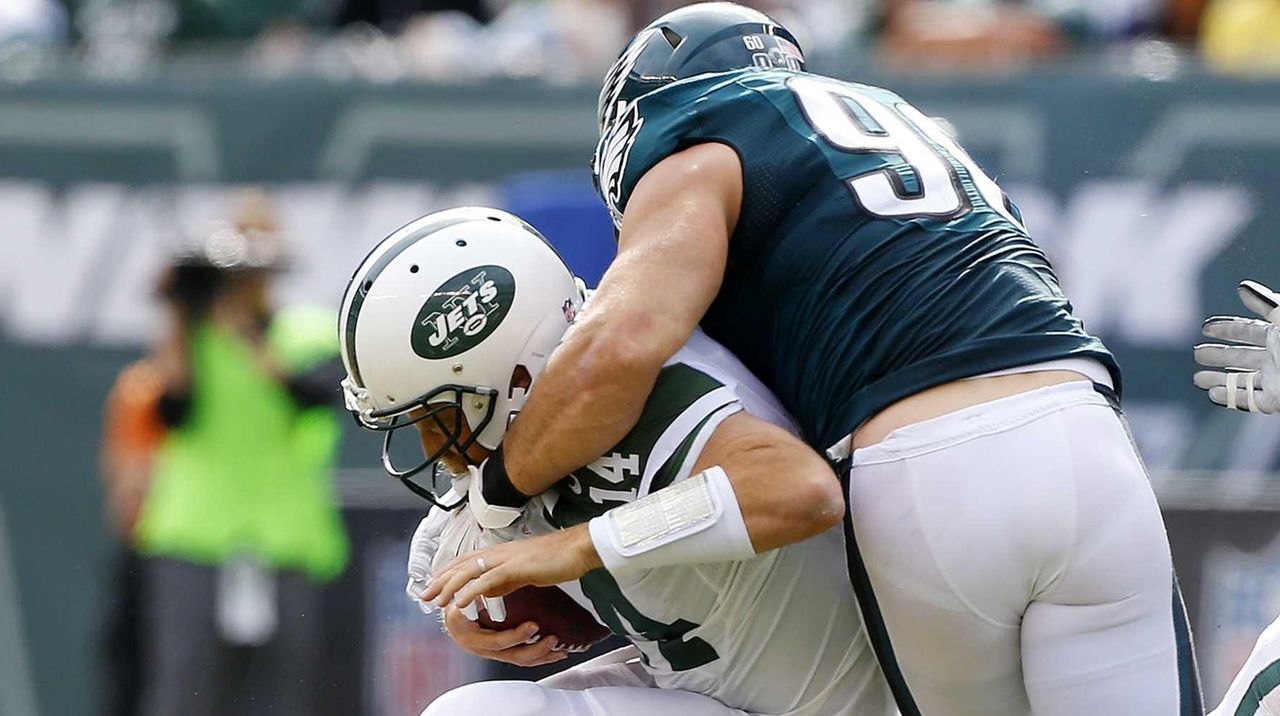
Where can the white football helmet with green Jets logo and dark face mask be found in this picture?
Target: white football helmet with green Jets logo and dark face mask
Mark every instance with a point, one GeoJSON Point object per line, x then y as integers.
{"type": "Point", "coordinates": [456, 311]}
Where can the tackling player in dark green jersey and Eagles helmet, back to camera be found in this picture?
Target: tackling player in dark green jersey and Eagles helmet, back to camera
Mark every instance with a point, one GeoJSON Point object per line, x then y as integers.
{"type": "Point", "coordinates": [1003, 536]}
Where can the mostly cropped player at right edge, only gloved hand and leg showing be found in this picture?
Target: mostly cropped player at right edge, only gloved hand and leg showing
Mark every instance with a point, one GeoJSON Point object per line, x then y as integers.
{"type": "Point", "coordinates": [1244, 373]}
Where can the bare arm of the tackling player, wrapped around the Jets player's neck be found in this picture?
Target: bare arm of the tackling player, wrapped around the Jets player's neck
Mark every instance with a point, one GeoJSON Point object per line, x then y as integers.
{"type": "Point", "coordinates": [671, 261]}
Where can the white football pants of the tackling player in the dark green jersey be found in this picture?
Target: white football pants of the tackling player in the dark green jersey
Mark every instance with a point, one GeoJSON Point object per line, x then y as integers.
{"type": "Point", "coordinates": [1021, 564]}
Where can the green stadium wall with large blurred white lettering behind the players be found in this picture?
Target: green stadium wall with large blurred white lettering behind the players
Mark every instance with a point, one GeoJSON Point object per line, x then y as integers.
{"type": "Point", "coordinates": [1154, 198]}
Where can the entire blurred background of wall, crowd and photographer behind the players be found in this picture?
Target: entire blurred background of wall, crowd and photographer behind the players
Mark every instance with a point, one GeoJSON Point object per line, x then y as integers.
{"type": "Point", "coordinates": [188, 185]}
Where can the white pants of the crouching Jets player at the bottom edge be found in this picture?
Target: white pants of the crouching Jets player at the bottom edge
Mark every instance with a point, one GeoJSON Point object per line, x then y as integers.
{"type": "Point", "coordinates": [602, 687]}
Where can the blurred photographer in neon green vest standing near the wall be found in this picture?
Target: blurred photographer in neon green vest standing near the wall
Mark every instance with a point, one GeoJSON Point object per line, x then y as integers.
{"type": "Point", "coordinates": [240, 525]}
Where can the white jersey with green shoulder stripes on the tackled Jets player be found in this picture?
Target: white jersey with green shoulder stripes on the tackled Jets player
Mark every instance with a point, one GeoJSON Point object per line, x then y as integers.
{"type": "Point", "coordinates": [779, 633]}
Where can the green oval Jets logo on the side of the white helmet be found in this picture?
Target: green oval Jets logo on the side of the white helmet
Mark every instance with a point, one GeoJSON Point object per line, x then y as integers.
{"type": "Point", "coordinates": [463, 312]}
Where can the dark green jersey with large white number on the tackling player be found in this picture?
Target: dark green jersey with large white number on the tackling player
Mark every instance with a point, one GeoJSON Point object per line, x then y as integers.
{"type": "Point", "coordinates": [872, 258]}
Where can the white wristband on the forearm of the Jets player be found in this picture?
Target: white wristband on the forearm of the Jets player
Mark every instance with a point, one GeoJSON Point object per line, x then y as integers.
{"type": "Point", "coordinates": [697, 521]}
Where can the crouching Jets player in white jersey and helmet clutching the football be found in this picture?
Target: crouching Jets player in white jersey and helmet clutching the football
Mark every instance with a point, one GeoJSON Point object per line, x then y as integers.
{"type": "Point", "coordinates": [682, 539]}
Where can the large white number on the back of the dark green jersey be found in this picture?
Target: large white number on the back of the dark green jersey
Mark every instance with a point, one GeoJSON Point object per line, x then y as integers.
{"type": "Point", "coordinates": [927, 183]}
